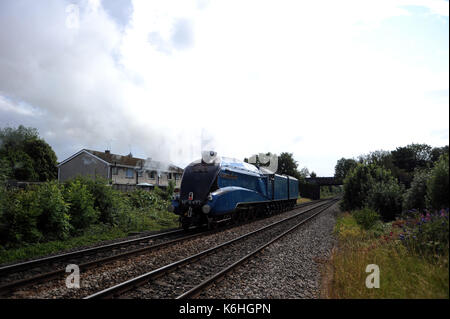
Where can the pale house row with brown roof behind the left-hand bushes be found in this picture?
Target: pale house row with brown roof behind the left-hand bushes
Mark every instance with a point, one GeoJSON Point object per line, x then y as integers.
{"type": "Point", "coordinates": [119, 169]}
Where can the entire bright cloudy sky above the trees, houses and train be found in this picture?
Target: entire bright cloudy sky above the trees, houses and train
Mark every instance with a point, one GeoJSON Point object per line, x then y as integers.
{"type": "Point", "coordinates": [166, 79]}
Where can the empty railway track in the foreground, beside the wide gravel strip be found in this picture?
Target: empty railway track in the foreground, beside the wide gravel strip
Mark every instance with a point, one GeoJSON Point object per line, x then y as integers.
{"type": "Point", "coordinates": [188, 277]}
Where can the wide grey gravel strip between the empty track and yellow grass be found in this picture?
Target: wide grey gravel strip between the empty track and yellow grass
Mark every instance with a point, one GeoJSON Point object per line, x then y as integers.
{"type": "Point", "coordinates": [288, 269]}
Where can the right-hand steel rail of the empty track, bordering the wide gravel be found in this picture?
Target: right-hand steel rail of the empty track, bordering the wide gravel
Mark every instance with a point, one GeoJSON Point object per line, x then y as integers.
{"type": "Point", "coordinates": [195, 291]}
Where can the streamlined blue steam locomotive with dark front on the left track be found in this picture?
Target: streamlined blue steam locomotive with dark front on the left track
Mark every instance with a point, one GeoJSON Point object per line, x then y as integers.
{"type": "Point", "coordinates": [227, 189]}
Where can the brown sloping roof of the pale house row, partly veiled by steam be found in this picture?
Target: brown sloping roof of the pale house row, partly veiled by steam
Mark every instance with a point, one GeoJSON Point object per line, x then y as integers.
{"type": "Point", "coordinates": [128, 161]}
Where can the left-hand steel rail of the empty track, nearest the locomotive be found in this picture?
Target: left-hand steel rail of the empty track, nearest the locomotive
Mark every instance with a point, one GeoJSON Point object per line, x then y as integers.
{"type": "Point", "coordinates": [156, 273]}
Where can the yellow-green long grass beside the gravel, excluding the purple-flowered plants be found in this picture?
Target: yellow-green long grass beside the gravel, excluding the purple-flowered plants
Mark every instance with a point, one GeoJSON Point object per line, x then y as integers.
{"type": "Point", "coordinates": [403, 274]}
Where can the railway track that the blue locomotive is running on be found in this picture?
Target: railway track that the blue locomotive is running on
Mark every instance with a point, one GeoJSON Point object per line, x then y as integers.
{"type": "Point", "coordinates": [27, 273]}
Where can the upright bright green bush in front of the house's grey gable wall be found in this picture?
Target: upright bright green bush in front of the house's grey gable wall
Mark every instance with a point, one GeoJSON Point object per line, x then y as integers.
{"type": "Point", "coordinates": [82, 212]}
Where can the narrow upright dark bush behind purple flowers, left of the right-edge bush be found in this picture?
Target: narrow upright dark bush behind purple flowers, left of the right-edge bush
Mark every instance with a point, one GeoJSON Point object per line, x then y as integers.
{"type": "Point", "coordinates": [414, 197]}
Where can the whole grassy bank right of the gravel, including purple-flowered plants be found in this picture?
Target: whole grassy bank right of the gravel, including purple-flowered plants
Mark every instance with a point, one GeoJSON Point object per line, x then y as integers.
{"type": "Point", "coordinates": [406, 258]}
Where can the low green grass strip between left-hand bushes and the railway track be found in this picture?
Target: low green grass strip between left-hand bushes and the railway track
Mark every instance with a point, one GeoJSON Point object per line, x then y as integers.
{"type": "Point", "coordinates": [139, 221]}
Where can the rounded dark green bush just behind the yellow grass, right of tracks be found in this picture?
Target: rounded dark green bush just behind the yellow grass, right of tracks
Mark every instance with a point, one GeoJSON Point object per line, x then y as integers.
{"type": "Point", "coordinates": [386, 199]}
